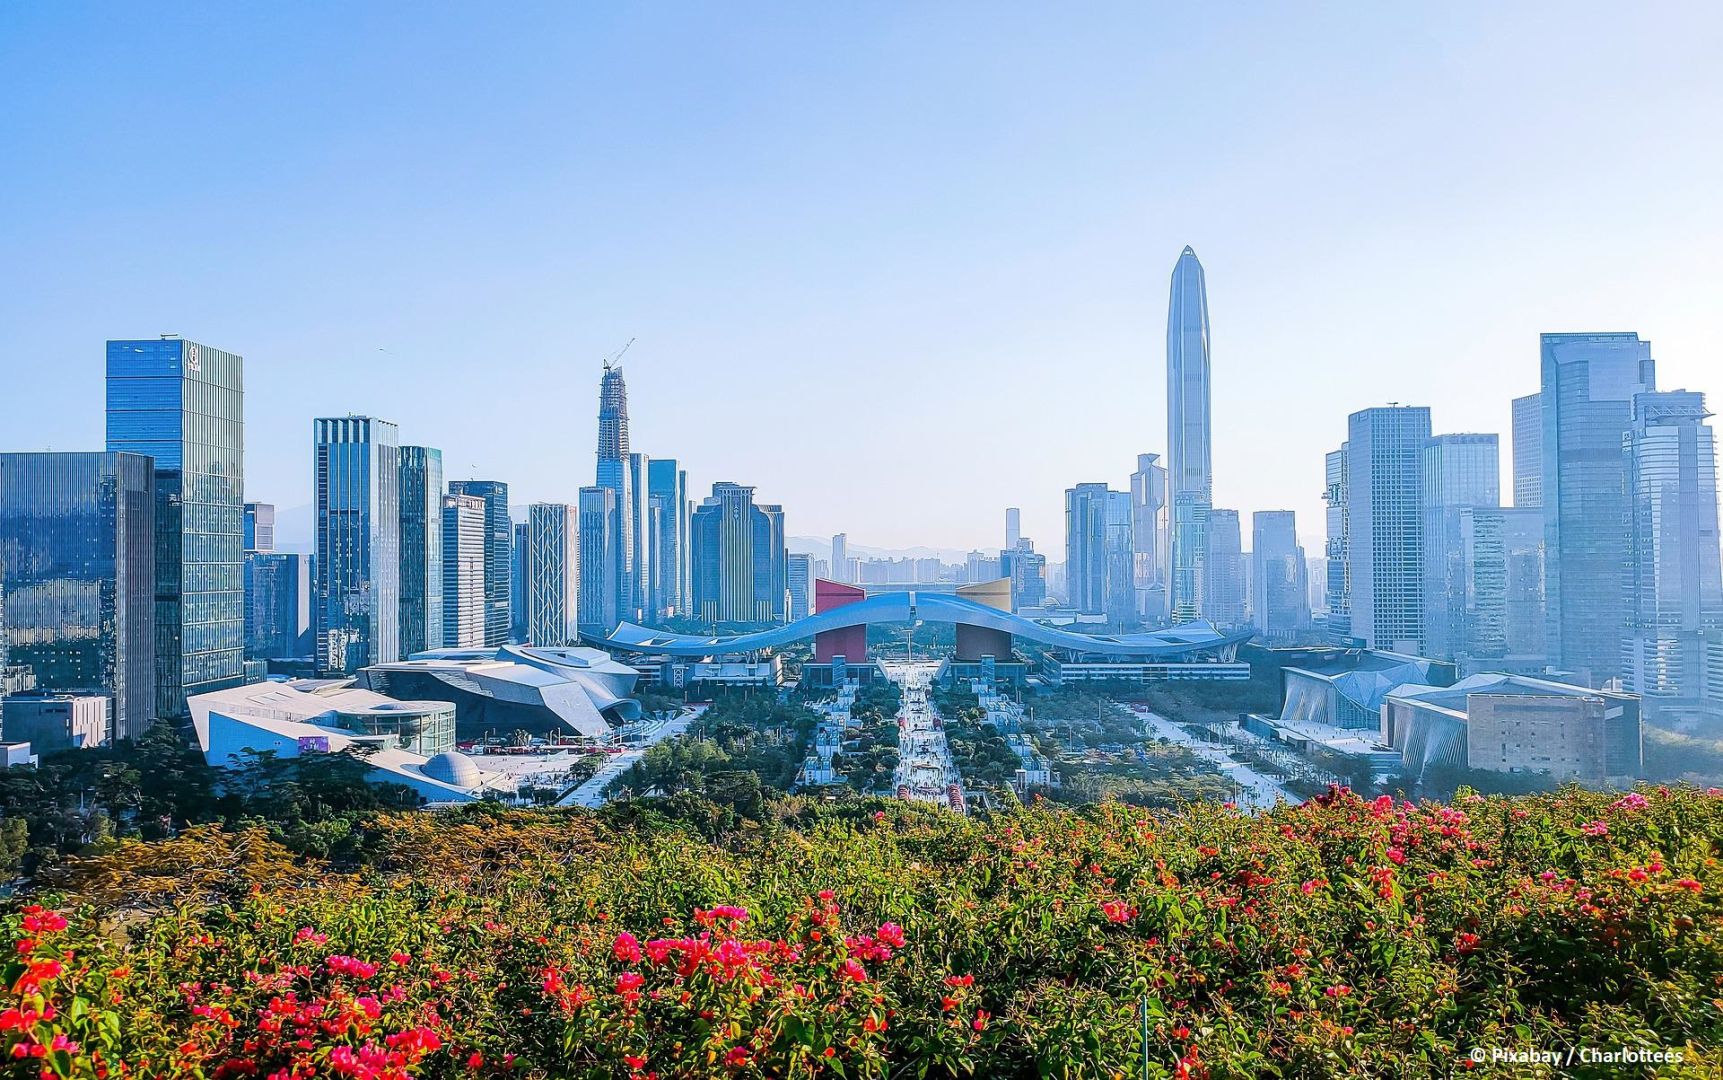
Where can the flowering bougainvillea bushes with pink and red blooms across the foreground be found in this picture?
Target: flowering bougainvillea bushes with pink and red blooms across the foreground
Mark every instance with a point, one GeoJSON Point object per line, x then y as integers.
{"type": "Point", "coordinates": [1343, 938]}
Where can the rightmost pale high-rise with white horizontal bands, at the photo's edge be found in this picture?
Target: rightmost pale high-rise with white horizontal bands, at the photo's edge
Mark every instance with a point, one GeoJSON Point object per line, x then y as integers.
{"type": "Point", "coordinates": [1674, 585]}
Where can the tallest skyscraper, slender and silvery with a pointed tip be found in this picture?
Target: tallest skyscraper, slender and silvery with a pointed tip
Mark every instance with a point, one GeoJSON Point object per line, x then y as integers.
{"type": "Point", "coordinates": [1190, 478]}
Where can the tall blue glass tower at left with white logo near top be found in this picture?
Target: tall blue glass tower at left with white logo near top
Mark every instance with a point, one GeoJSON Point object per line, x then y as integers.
{"type": "Point", "coordinates": [183, 406]}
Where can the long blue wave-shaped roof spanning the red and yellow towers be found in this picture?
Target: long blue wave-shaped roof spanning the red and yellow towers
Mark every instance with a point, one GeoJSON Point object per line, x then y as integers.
{"type": "Point", "coordinates": [933, 607]}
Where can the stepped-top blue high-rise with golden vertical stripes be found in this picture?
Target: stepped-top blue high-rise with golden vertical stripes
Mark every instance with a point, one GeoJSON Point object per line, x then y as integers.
{"type": "Point", "coordinates": [740, 564]}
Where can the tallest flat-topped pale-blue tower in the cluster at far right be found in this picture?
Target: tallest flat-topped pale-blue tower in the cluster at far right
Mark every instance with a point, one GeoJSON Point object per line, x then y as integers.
{"type": "Point", "coordinates": [1588, 395]}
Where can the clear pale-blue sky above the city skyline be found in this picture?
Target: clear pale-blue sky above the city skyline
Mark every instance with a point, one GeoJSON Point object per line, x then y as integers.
{"type": "Point", "coordinates": [899, 266]}
